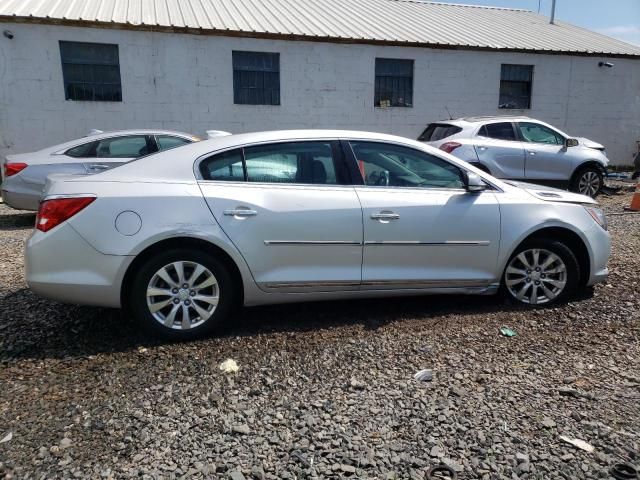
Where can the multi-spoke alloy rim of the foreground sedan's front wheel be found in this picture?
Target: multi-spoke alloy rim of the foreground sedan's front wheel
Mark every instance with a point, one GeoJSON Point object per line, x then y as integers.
{"type": "Point", "coordinates": [536, 276]}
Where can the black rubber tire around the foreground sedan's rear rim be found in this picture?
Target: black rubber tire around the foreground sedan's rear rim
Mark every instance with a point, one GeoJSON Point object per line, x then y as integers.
{"type": "Point", "coordinates": [226, 291]}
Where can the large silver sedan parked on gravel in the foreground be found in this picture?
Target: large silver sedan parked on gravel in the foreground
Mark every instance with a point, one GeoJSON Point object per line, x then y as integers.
{"type": "Point", "coordinates": [183, 237]}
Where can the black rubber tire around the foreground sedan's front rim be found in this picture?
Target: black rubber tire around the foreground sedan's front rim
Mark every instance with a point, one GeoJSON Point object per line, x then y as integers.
{"type": "Point", "coordinates": [572, 278]}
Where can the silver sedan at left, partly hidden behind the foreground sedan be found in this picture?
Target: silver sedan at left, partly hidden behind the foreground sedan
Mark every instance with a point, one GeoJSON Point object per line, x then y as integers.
{"type": "Point", "coordinates": [25, 174]}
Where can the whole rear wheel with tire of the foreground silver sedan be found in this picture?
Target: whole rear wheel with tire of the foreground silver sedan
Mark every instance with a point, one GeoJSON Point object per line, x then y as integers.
{"type": "Point", "coordinates": [182, 294]}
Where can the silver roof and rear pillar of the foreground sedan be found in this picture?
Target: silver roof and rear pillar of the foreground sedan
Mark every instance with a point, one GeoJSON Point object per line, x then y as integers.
{"type": "Point", "coordinates": [167, 165]}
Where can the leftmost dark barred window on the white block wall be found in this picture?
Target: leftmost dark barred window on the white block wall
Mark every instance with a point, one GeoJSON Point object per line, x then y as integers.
{"type": "Point", "coordinates": [91, 71]}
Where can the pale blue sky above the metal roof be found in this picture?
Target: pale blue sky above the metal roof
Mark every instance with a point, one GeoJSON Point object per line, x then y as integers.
{"type": "Point", "coordinates": [616, 18]}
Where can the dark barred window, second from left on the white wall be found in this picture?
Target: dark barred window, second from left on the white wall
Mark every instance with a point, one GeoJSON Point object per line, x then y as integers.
{"type": "Point", "coordinates": [256, 78]}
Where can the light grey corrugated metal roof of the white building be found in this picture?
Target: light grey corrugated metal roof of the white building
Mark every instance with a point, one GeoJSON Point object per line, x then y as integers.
{"type": "Point", "coordinates": [397, 22]}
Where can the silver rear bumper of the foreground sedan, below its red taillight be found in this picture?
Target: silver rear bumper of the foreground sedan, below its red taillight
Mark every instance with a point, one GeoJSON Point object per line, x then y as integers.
{"type": "Point", "coordinates": [62, 266]}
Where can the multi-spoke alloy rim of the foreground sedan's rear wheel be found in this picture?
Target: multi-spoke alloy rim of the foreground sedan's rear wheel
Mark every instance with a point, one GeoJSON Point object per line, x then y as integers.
{"type": "Point", "coordinates": [182, 295]}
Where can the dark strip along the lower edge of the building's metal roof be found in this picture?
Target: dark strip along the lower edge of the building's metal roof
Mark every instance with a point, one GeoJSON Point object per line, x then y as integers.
{"type": "Point", "coordinates": [300, 37]}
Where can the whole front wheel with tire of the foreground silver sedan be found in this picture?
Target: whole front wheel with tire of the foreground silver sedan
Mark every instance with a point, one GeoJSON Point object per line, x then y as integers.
{"type": "Point", "coordinates": [541, 272]}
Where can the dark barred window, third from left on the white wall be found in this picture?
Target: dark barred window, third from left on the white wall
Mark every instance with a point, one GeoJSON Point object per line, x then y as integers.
{"type": "Point", "coordinates": [394, 83]}
